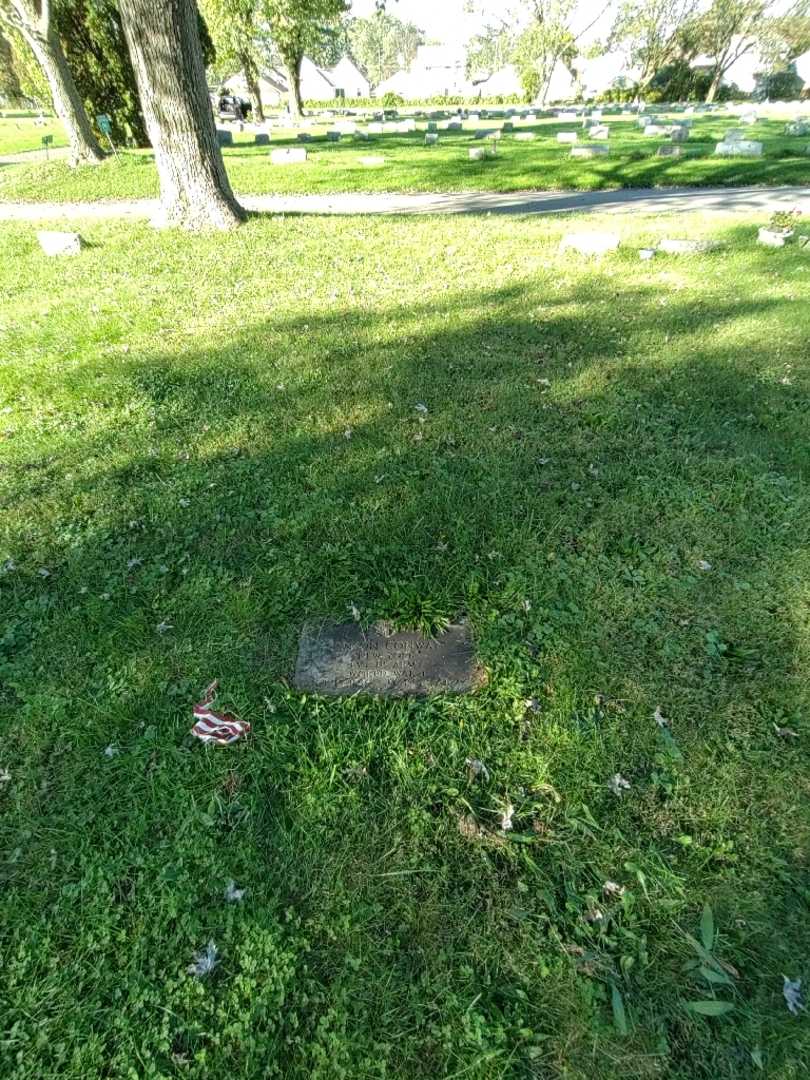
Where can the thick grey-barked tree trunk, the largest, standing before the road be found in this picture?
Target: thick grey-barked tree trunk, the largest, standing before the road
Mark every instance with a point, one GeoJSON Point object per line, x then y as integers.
{"type": "Point", "coordinates": [164, 39]}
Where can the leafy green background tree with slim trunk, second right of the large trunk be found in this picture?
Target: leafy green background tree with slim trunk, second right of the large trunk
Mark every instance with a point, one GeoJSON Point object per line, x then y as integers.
{"type": "Point", "coordinates": [296, 28]}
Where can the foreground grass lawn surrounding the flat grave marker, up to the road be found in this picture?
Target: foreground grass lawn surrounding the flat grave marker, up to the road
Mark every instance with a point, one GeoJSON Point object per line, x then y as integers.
{"type": "Point", "coordinates": [205, 441]}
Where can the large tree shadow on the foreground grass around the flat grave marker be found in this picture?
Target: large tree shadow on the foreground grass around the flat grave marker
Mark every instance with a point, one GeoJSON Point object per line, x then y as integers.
{"type": "Point", "coordinates": [560, 461]}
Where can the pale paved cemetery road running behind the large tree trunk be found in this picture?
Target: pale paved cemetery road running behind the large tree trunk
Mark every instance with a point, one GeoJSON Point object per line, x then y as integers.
{"type": "Point", "coordinates": [625, 200]}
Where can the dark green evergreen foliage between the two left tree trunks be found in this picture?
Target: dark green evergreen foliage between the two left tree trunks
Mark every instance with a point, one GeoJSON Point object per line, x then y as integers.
{"type": "Point", "coordinates": [97, 52]}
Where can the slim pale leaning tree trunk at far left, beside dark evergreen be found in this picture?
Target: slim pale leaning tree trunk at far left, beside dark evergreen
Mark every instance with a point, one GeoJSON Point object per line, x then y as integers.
{"type": "Point", "coordinates": [32, 20]}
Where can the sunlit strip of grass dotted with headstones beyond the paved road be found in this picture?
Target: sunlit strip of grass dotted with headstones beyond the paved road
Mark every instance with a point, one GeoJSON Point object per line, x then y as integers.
{"type": "Point", "coordinates": [543, 165]}
